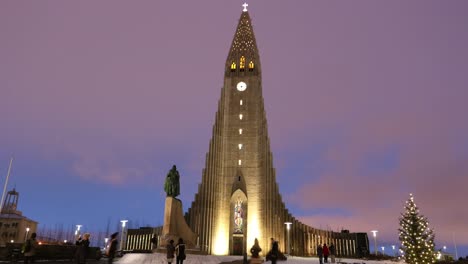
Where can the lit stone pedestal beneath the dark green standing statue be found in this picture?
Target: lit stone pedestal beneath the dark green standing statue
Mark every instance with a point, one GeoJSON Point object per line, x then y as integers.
{"type": "Point", "coordinates": [175, 226]}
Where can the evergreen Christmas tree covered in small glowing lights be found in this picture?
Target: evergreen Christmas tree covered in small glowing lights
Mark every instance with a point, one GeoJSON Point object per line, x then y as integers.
{"type": "Point", "coordinates": [417, 239]}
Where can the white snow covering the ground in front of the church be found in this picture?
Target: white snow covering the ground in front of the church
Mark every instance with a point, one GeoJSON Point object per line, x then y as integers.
{"type": "Point", "coordinates": [160, 258]}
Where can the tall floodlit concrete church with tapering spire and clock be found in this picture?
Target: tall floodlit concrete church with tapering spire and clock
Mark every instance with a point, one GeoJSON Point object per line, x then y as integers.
{"type": "Point", "coordinates": [238, 199]}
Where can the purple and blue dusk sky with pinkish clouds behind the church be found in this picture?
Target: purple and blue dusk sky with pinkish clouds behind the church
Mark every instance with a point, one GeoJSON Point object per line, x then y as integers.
{"type": "Point", "coordinates": [365, 100]}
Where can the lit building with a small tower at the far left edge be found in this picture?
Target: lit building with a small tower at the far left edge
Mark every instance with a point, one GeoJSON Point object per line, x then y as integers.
{"type": "Point", "coordinates": [14, 227]}
